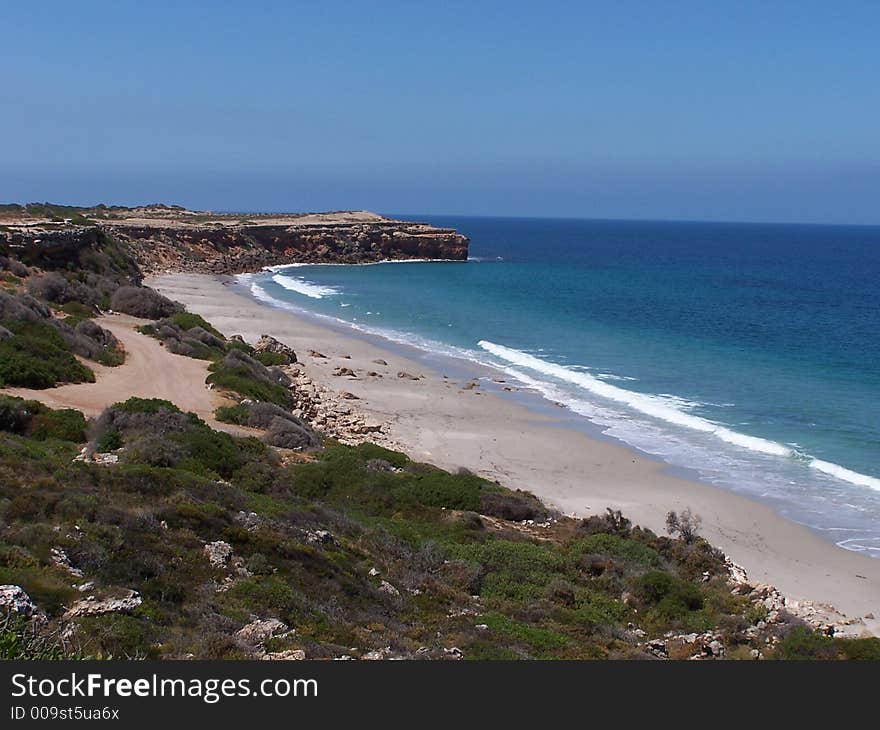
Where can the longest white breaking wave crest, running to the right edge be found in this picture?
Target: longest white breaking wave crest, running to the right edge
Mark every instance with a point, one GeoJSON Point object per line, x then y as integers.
{"type": "Point", "coordinates": [663, 409]}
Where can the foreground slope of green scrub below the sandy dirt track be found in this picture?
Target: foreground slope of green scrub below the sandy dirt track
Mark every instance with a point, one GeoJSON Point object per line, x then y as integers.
{"type": "Point", "coordinates": [359, 549]}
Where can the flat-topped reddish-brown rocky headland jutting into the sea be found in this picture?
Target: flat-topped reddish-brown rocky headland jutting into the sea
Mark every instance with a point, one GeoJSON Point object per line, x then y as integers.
{"type": "Point", "coordinates": [165, 239]}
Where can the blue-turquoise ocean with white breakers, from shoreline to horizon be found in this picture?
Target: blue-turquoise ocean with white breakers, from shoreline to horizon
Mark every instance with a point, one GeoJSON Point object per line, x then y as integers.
{"type": "Point", "coordinates": [747, 353]}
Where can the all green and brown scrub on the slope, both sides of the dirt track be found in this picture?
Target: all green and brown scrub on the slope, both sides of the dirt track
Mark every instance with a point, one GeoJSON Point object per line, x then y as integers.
{"type": "Point", "coordinates": [359, 550]}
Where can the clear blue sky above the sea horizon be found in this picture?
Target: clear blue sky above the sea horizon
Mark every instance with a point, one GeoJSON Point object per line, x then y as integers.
{"type": "Point", "coordinates": [755, 111]}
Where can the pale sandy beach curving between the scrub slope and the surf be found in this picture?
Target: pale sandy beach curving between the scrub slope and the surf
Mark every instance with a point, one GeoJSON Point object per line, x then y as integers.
{"type": "Point", "coordinates": [445, 419]}
